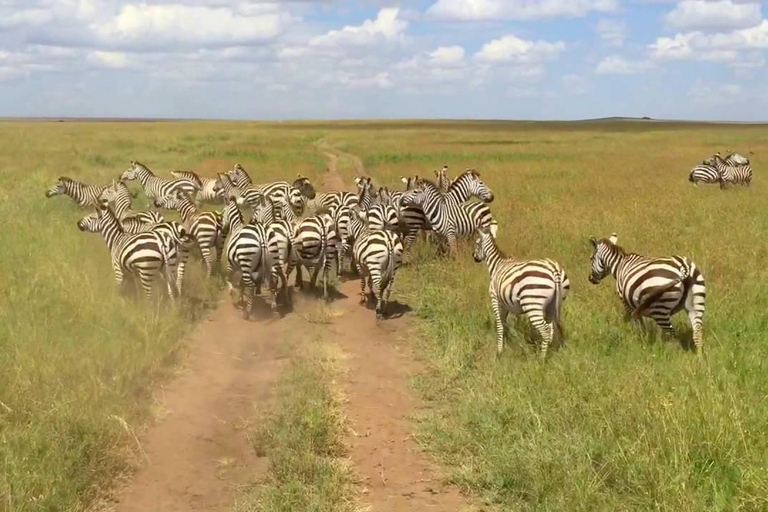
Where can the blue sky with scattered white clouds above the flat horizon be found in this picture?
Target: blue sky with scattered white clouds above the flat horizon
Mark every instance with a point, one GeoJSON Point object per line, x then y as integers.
{"type": "Point", "coordinates": [511, 59]}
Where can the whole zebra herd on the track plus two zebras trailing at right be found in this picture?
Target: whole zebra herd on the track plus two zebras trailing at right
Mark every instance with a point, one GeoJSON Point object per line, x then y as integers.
{"type": "Point", "coordinates": [291, 226]}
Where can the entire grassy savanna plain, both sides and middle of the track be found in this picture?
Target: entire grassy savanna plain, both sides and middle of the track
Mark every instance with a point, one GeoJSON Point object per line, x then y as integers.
{"type": "Point", "coordinates": [618, 418]}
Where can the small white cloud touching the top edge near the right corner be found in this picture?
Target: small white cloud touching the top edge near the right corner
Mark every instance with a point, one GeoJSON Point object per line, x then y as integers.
{"type": "Point", "coordinates": [718, 15]}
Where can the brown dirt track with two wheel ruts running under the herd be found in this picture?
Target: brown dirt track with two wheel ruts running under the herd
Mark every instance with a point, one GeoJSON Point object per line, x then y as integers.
{"type": "Point", "coordinates": [197, 453]}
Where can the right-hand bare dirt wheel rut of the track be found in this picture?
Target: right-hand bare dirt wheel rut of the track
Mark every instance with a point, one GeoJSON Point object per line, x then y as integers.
{"type": "Point", "coordinates": [395, 476]}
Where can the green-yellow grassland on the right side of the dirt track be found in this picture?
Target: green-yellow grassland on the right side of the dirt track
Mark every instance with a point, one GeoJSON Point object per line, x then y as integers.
{"type": "Point", "coordinates": [618, 419]}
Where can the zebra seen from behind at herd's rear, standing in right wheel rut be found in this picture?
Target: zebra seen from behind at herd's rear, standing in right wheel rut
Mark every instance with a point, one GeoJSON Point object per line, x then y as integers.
{"type": "Point", "coordinates": [378, 255]}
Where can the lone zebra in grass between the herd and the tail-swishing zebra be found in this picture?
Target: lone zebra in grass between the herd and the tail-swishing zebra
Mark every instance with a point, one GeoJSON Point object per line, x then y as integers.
{"type": "Point", "coordinates": [536, 288]}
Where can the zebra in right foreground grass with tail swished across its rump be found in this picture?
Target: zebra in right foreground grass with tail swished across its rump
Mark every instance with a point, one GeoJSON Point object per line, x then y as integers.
{"type": "Point", "coordinates": [653, 287]}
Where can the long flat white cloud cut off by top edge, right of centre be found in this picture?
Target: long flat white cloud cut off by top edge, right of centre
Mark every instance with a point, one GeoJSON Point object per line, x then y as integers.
{"type": "Point", "coordinates": [491, 10]}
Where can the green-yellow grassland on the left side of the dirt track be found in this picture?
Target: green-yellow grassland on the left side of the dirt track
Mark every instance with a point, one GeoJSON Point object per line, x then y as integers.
{"type": "Point", "coordinates": [77, 360]}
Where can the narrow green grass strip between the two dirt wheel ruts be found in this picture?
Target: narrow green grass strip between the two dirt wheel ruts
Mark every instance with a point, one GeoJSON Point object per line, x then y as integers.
{"type": "Point", "coordinates": [303, 438]}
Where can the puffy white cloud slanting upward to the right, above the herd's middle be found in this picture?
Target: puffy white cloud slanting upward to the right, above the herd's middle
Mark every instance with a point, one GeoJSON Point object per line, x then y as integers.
{"type": "Point", "coordinates": [386, 27]}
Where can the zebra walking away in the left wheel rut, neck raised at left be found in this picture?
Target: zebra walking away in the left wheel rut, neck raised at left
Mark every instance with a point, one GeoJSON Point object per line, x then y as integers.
{"type": "Point", "coordinates": [250, 253]}
